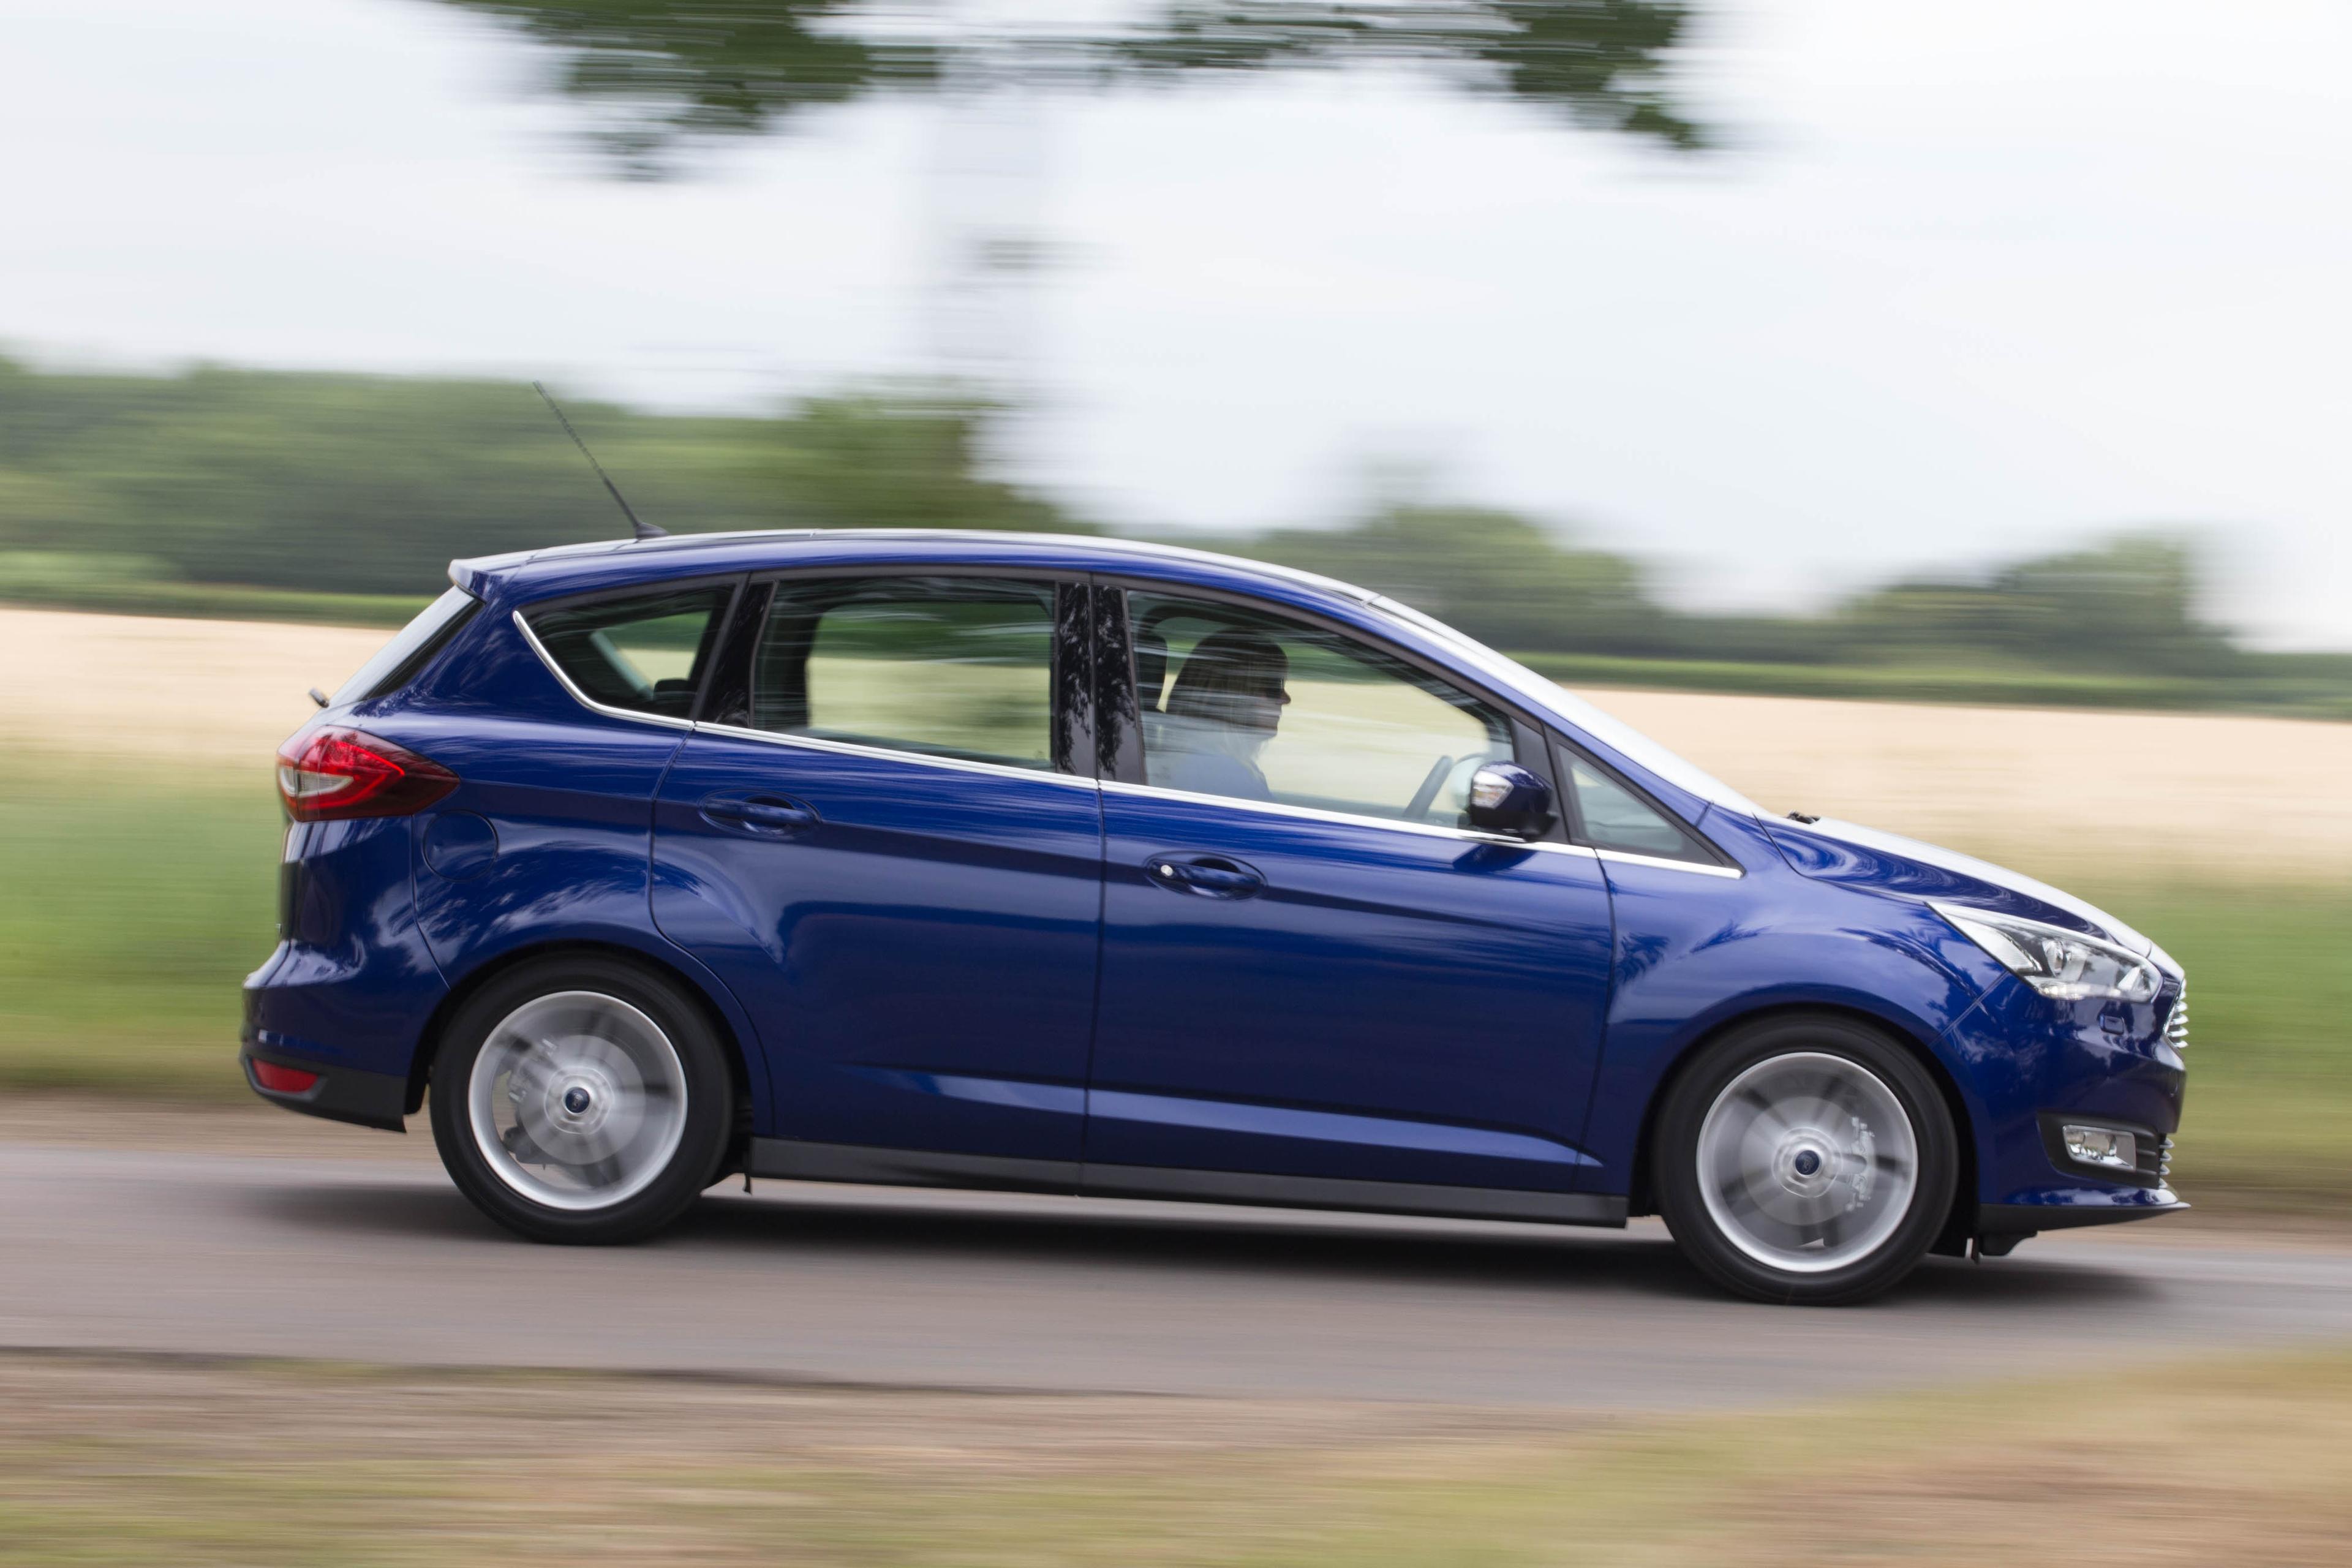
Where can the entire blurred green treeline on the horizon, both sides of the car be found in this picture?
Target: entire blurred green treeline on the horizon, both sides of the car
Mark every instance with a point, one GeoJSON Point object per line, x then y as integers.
{"type": "Point", "coordinates": [345, 497]}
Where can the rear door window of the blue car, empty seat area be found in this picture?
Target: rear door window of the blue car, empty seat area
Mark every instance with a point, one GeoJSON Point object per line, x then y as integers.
{"type": "Point", "coordinates": [918, 664]}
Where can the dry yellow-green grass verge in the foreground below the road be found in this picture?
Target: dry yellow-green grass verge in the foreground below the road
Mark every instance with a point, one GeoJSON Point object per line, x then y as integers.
{"type": "Point", "coordinates": [2243, 1461]}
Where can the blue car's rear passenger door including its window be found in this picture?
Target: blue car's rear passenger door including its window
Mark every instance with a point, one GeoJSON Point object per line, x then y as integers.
{"type": "Point", "coordinates": [886, 836]}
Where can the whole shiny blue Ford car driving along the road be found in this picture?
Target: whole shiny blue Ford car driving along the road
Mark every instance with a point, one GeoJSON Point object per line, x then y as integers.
{"type": "Point", "coordinates": [1104, 869]}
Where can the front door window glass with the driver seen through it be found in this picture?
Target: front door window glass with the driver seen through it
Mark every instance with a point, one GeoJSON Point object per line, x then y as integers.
{"type": "Point", "coordinates": [1252, 706]}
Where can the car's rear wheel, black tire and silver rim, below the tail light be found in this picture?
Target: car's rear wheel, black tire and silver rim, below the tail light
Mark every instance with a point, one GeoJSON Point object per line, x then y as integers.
{"type": "Point", "coordinates": [582, 1101]}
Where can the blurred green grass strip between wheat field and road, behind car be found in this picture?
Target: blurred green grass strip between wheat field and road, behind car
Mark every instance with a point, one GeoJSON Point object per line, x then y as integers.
{"type": "Point", "coordinates": [142, 897]}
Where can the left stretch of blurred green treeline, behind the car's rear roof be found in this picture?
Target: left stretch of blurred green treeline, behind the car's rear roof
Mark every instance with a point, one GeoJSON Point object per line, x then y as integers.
{"type": "Point", "coordinates": [375, 483]}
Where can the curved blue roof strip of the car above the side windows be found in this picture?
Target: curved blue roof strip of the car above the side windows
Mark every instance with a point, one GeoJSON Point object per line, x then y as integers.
{"type": "Point", "coordinates": [617, 563]}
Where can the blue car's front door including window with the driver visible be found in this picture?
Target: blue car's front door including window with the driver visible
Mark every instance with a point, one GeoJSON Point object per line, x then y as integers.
{"type": "Point", "coordinates": [1311, 970]}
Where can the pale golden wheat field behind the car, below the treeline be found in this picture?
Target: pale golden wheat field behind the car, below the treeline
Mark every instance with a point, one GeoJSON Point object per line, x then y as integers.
{"type": "Point", "coordinates": [2144, 796]}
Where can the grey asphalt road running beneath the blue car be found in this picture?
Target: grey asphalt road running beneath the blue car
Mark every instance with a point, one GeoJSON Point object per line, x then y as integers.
{"type": "Point", "coordinates": [382, 1261]}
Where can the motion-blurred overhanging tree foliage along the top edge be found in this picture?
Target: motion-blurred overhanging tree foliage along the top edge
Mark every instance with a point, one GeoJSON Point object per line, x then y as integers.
{"type": "Point", "coordinates": [671, 72]}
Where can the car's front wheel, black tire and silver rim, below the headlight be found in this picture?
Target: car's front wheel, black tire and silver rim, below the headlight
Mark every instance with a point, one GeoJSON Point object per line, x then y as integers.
{"type": "Point", "coordinates": [1753, 1162]}
